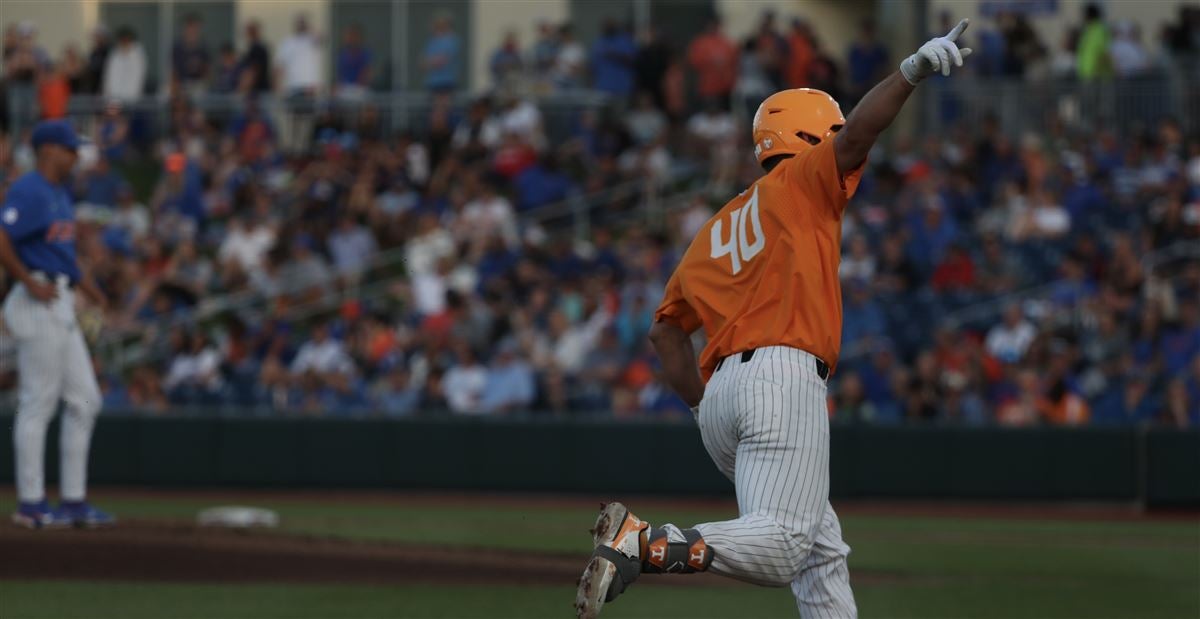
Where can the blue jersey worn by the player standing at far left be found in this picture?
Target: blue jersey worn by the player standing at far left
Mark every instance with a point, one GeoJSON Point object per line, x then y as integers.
{"type": "Point", "coordinates": [39, 219]}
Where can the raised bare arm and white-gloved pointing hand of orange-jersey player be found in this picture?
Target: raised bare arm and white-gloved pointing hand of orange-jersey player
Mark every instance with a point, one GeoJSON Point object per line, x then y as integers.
{"type": "Point", "coordinates": [880, 107]}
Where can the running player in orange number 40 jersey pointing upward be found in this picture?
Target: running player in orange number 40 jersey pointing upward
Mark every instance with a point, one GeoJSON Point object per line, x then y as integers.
{"type": "Point", "coordinates": [761, 280]}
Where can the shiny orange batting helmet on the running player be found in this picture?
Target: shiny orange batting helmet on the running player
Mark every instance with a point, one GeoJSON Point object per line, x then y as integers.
{"type": "Point", "coordinates": [793, 121]}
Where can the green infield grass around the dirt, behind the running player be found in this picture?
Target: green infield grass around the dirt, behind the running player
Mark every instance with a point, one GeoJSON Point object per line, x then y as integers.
{"type": "Point", "coordinates": [919, 567]}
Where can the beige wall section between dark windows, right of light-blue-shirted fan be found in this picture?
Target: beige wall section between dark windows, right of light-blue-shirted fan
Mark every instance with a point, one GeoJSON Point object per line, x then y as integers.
{"type": "Point", "coordinates": [493, 20]}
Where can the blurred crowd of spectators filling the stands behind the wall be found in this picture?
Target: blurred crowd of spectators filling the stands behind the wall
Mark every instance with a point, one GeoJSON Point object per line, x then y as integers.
{"type": "Point", "coordinates": [443, 295]}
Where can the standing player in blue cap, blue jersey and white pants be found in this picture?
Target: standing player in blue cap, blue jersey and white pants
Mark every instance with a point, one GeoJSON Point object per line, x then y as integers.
{"type": "Point", "coordinates": [38, 250]}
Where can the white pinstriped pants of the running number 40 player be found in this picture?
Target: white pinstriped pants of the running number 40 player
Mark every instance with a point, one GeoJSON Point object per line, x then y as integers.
{"type": "Point", "coordinates": [766, 425]}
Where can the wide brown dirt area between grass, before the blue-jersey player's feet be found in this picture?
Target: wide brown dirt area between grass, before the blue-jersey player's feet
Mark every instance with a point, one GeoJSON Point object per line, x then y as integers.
{"type": "Point", "coordinates": [147, 551]}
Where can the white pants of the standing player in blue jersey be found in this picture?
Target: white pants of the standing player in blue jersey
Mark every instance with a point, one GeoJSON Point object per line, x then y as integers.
{"type": "Point", "coordinates": [53, 365]}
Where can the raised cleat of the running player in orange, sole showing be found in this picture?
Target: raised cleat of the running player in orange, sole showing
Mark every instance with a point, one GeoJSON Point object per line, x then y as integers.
{"type": "Point", "coordinates": [620, 540]}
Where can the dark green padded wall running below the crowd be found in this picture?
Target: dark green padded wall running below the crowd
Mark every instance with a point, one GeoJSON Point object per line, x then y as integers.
{"type": "Point", "coordinates": [1156, 467]}
